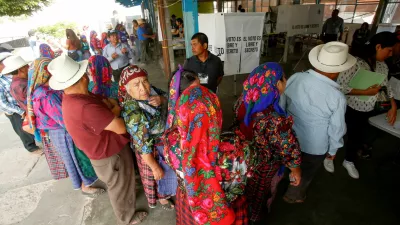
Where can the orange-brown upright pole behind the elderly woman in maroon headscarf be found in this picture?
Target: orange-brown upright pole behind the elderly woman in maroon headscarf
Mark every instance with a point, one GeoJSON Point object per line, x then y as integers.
{"type": "Point", "coordinates": [167, 65]}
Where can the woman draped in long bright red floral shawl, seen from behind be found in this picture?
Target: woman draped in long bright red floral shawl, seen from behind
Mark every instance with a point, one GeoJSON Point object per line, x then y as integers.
{"type": "Point", "coordinates": [191, 147]}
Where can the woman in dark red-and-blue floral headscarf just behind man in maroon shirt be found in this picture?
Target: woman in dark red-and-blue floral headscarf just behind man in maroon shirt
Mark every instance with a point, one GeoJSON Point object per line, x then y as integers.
{"type": "Point", "coordinates": [100, 74]}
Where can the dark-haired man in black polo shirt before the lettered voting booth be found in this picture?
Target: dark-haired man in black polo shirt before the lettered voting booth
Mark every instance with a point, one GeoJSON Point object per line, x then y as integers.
{"type": "Point", "coordinates": [208, 66]}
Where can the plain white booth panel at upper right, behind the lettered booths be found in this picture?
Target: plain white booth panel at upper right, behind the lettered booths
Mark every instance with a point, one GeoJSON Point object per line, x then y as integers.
{"type": "Point", "coordinates": [300, 19]}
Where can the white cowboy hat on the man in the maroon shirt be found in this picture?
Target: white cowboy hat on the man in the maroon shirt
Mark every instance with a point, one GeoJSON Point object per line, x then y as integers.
{"type": "Point", "coordinates": [65, 72]}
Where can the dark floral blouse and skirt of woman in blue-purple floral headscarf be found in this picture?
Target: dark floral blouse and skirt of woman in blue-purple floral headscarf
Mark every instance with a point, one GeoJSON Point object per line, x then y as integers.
{"type": "Point", "coordinates": [275, 143]}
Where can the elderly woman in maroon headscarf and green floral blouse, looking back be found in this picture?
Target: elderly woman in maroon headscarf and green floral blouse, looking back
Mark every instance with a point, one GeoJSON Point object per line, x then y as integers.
{"type": "Point", "coordinates": [143, 114]}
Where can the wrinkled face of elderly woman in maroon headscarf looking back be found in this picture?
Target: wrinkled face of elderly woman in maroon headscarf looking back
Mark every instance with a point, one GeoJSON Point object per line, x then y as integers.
{"type": "Point", "coordinates": [139, 88]}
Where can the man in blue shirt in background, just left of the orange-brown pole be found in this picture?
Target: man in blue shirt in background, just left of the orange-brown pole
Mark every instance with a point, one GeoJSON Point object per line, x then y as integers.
{"type": "Point", "coordinates": [144, 37]}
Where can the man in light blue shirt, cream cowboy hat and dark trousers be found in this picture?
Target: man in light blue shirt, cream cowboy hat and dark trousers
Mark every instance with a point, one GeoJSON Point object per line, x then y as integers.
{"type": "Point", "coordinates": [318, 107]}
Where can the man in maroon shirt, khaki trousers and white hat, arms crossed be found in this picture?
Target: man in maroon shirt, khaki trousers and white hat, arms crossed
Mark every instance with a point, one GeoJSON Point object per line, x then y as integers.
{"type": "Point", "coordinates": [95, 125]}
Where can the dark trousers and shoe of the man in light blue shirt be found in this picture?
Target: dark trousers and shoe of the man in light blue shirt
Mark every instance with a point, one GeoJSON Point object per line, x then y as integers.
{"type": "Point", "coordinates": [309, 167]}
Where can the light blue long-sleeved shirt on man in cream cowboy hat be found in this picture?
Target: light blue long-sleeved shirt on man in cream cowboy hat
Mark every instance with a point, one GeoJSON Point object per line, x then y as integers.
{"type": "Point", "coordinates": [318, 108]}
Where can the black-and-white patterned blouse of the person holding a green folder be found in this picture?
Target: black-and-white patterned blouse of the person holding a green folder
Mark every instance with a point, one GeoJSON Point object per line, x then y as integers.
{"type": "Point", "coordinates": [354, 101]}
